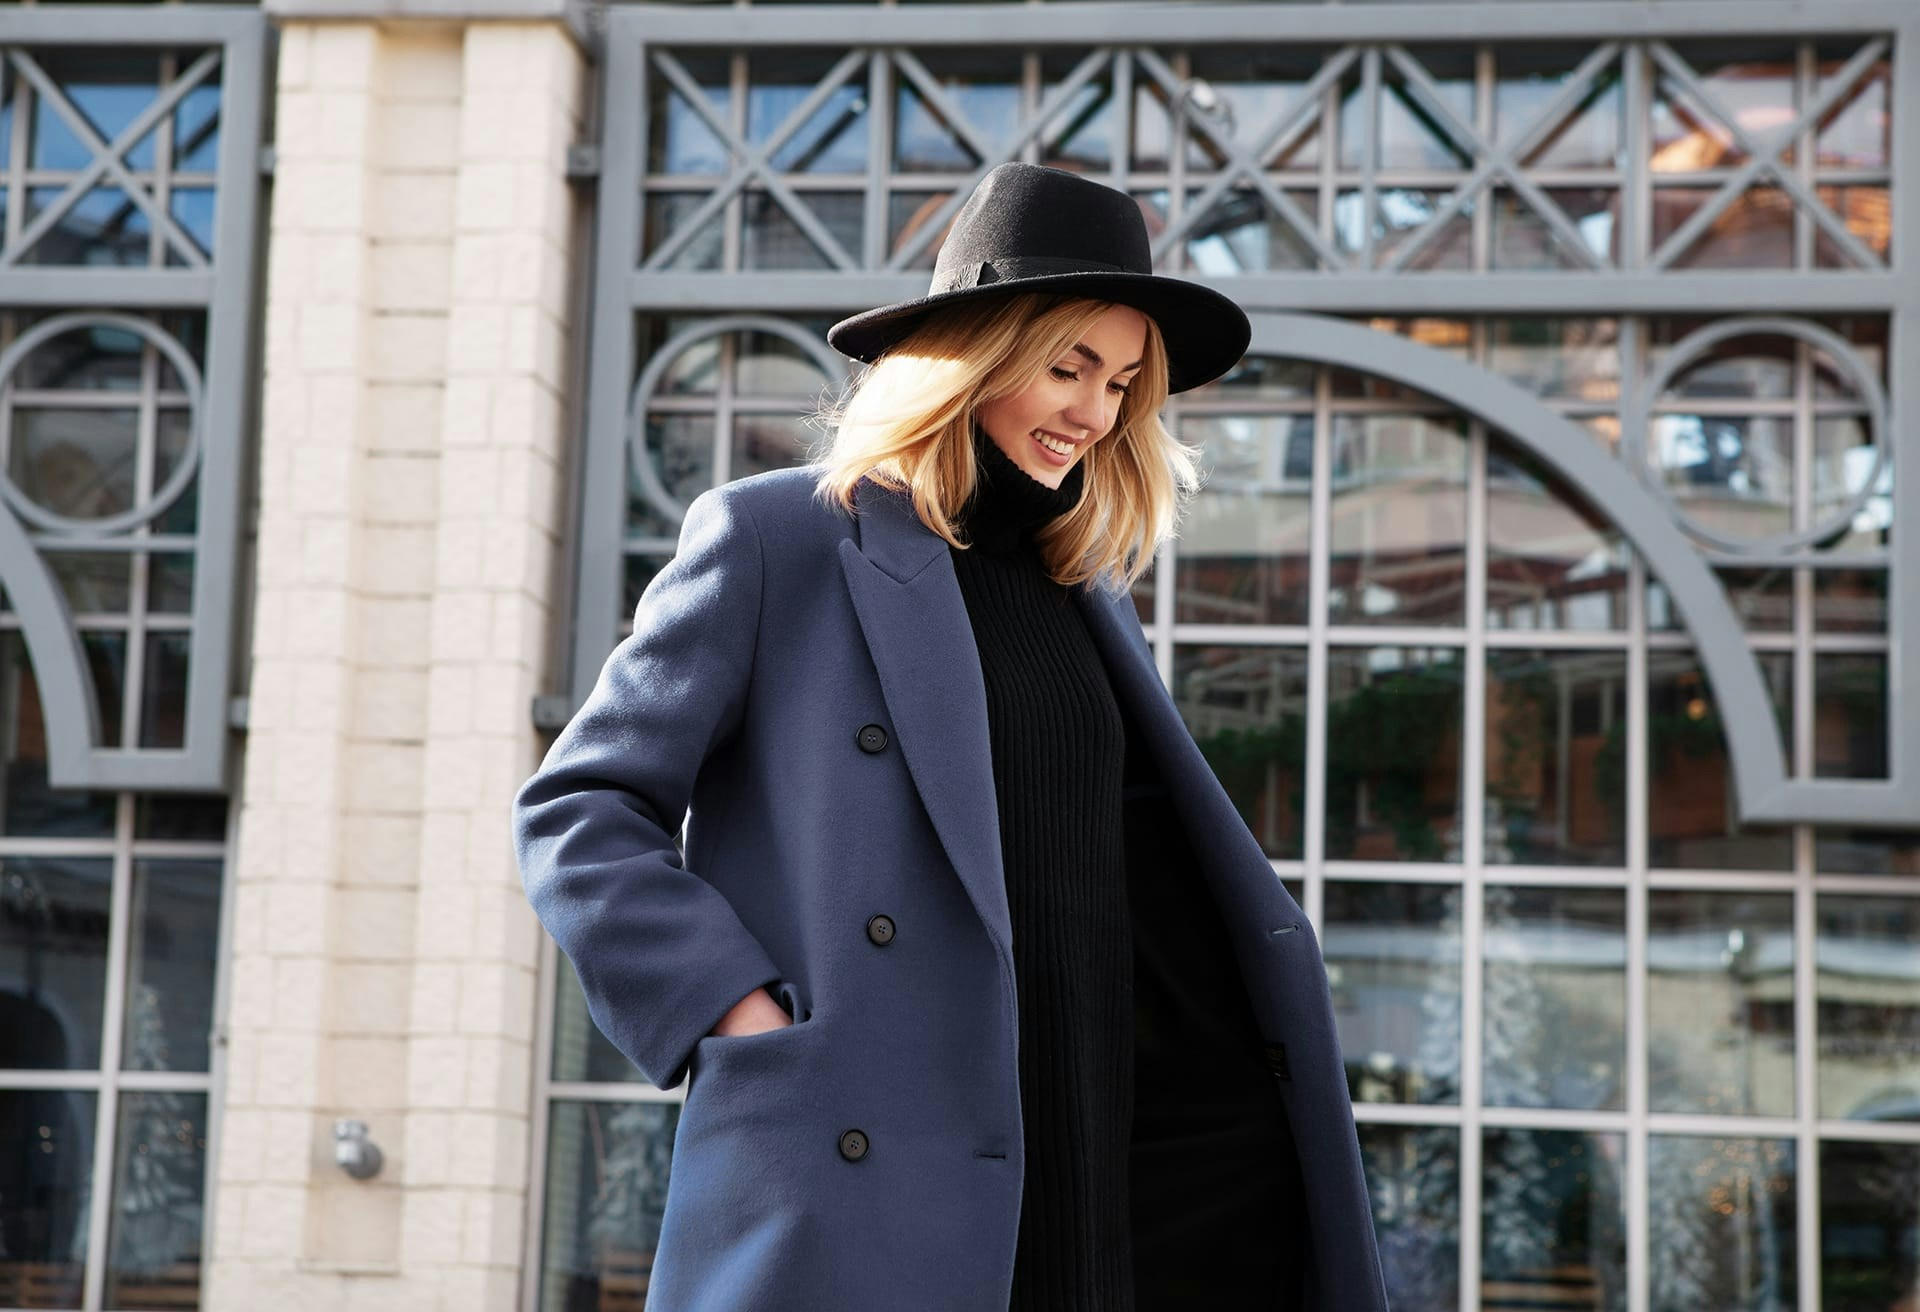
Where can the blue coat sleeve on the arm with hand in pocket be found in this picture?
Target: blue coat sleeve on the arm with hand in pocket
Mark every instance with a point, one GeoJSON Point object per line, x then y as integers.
{"type": "Point", "coordinates": [661, 956]}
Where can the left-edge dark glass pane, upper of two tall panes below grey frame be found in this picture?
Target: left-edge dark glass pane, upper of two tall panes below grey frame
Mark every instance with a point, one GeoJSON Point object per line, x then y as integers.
{"type": "Point", "coordinates": [53, 961]}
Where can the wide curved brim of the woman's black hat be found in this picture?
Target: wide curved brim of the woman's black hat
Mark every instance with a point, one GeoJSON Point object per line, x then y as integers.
{"type": "Point", "coordinates": [1207, 333]}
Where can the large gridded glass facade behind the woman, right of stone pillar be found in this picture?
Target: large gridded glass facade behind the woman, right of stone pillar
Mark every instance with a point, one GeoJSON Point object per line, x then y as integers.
{"type": "Point", "coordinates": [1608, 1046]}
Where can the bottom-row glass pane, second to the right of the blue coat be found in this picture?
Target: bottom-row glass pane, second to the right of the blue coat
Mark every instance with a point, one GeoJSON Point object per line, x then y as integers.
{"type": "Point", "coordinates": [1552, 1221]}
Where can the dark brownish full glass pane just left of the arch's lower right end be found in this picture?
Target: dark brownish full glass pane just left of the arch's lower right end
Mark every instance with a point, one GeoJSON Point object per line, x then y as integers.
{"type": "Point", "coordinates": [1556, 758]}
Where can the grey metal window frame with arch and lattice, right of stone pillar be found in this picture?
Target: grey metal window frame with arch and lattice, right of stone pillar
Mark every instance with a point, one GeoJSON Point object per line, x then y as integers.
{"type": "Point", "coordinates": [1278, 303]}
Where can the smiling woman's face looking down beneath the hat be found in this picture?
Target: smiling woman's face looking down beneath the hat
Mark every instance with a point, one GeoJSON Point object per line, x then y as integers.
{"type": "Point", "coordinates": [1074, 402]}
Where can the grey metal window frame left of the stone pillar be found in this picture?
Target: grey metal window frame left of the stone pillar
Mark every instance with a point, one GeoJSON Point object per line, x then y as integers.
{"type": "Point", "coordinates": [220, 289]}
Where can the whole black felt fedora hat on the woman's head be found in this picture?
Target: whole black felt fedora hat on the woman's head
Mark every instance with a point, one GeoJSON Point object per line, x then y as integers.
{"type": "Point", "coordinates": [1036, 230]}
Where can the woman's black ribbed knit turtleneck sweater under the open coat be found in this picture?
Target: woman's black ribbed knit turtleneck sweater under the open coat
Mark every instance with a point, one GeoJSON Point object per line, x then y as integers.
{"type": "Point", "coordinates": [1059, 746]}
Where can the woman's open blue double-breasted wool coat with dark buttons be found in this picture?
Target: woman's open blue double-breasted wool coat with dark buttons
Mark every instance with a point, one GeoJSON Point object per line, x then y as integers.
{"type": "Point", "coordinates": [780, 633]}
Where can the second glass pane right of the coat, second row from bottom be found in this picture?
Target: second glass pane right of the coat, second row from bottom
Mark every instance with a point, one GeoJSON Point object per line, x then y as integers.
{"type": "Point", "coordinates": [1556, 998]}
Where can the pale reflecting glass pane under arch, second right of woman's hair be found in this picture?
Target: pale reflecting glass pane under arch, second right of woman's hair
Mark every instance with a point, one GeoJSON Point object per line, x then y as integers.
{"type": "Point", "coordinates": [1399, 520]}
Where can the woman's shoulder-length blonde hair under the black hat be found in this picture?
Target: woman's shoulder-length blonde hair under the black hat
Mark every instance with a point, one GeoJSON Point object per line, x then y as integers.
{"type": "Point", "coordinates": [909, 425]}
